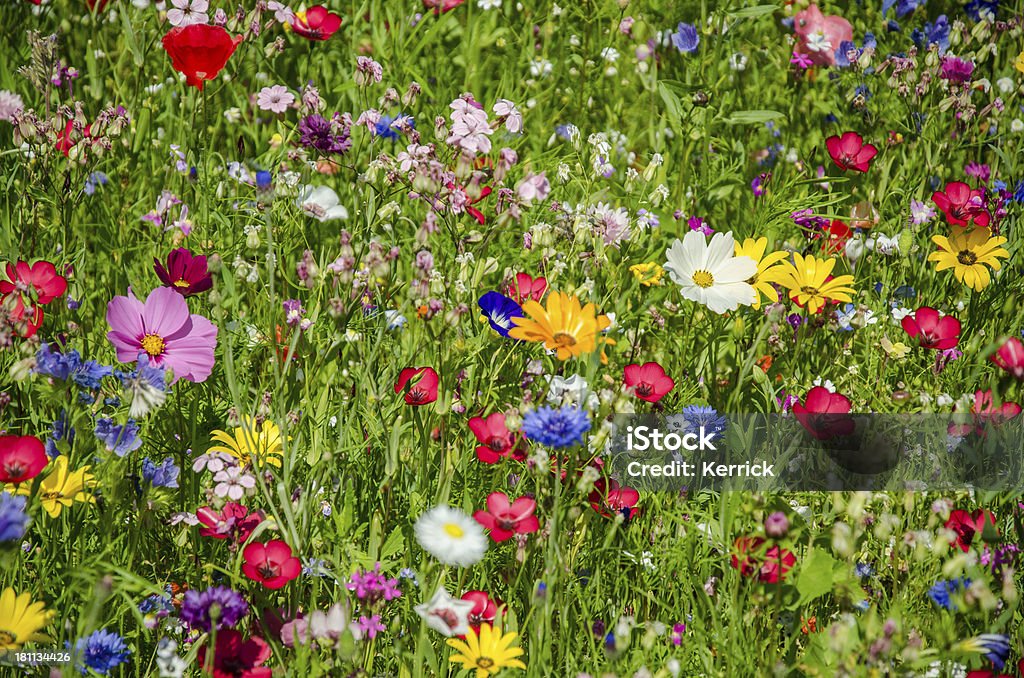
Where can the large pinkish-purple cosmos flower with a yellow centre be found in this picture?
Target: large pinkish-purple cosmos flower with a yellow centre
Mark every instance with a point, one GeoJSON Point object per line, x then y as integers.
{"type": "Point", "coordinates": [163, 329]}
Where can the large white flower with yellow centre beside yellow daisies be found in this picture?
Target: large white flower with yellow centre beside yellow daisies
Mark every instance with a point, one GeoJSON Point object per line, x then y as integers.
{"type": "Point", "coordinates": [710, 274]}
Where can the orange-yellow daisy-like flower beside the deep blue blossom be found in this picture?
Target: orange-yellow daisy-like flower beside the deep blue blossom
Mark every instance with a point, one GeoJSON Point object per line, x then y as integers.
{"type": "Point", "coordinates": [564, 326]}
